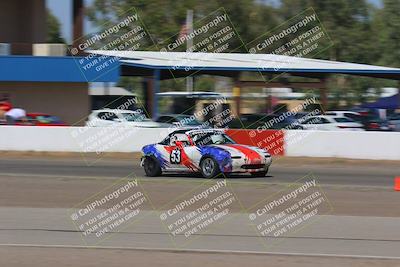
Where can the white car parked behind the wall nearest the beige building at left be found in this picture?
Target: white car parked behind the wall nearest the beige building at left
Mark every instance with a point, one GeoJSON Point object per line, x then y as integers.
{"type": "Point", "coordinates": [117, 117]}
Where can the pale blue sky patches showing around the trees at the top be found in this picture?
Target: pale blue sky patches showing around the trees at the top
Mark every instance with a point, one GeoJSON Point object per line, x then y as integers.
{"type": "Point", "coordinates": [62, 9]}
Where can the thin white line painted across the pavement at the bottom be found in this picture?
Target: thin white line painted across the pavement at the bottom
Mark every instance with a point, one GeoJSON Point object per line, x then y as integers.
{"type": "Point", "coordinates": [203, 251]}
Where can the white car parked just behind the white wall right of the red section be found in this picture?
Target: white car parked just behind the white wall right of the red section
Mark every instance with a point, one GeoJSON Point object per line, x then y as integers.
{"type": "Point", "coordinates": [324, 122]}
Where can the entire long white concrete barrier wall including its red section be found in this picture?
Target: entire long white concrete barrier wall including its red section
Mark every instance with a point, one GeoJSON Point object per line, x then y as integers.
{"type": "Point", "coordinates": [342, 144]}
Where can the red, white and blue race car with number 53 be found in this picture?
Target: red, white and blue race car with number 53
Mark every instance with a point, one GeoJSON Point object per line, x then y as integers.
{"type": "Point", "coordinates": [208, 151]}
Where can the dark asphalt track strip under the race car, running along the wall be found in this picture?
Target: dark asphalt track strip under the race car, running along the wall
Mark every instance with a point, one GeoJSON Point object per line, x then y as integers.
{"type": "Point", "coordinates": [328, 172]}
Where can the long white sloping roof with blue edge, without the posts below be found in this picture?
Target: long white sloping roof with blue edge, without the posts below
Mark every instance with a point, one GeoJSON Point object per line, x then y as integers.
{"type": "Point", "coordinates": [184, 64]}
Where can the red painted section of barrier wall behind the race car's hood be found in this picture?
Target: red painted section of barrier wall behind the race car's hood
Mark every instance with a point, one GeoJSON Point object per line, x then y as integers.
{"type": "Point", "coordinates": [272, 140]}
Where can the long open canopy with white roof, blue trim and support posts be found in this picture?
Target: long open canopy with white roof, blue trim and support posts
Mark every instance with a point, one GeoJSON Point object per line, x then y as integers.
{"type": "Point", "coordinates": [167, 65]}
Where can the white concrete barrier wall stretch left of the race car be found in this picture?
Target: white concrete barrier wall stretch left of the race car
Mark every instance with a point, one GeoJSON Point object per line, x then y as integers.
{"type": "Point", "coordinates": [78, 139]}
